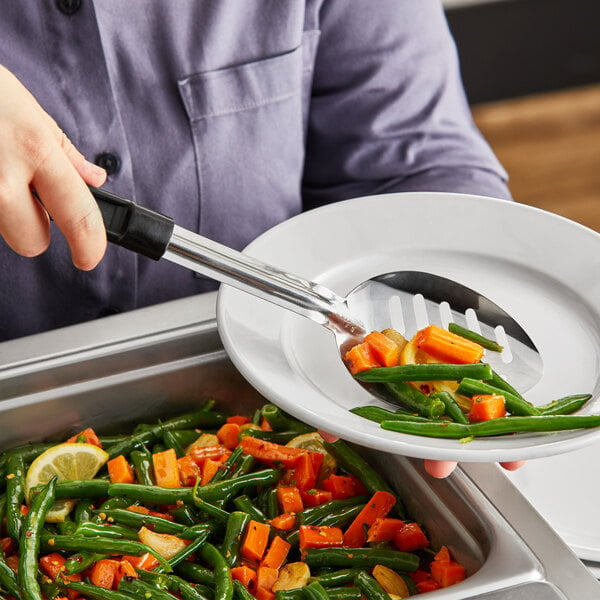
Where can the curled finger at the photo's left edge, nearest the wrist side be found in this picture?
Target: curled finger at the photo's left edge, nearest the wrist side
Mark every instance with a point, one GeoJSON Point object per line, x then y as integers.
{"type": "Point", "coordinates": [24, 224]}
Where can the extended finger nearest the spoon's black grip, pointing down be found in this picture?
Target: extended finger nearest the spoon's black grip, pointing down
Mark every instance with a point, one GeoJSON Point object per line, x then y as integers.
{"type": "Point", "coordinates": [68, 200]}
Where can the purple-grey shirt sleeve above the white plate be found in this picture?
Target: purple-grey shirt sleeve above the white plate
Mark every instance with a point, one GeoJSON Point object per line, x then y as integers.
{"type": "Point", "coordinates": [388, 111]}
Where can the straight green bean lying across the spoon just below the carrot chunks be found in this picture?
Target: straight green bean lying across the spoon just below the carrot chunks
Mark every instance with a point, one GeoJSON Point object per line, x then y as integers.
{"type": "Point", "coordinates": [425, 372]}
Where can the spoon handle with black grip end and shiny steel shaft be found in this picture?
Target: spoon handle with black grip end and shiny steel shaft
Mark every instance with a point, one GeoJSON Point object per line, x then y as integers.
{"type": "Point", "coordinates": [156, 236]}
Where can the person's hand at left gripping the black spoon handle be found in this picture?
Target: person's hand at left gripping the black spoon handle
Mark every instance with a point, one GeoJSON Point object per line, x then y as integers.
{"type": "Point", "coordinates": [36, 155]}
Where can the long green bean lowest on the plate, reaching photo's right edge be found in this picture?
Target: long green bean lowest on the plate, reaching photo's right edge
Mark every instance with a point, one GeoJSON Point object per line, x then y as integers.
{"type": "Point", "coordinates": [500, 426]}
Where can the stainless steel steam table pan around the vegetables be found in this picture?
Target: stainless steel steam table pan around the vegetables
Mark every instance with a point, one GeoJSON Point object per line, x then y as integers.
{"type": "Point", "coordinates": [164, 359]}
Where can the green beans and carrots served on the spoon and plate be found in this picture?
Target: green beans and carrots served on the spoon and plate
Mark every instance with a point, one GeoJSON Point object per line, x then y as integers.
{"type": "Point", "coordinates": [445, 389]}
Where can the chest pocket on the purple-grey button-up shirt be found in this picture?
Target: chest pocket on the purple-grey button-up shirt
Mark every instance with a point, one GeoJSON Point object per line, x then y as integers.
{"type": "Point", "coordinates": [248, 128]}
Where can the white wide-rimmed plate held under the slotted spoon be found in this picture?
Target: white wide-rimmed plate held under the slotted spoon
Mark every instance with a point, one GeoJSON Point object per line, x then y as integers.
{"type": "Point", "coordinates": [542, 269]}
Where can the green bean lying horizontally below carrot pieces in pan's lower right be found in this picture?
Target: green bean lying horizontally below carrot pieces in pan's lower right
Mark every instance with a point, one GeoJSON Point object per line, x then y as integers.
{"type": "Point", "coordinates": [361, 557]}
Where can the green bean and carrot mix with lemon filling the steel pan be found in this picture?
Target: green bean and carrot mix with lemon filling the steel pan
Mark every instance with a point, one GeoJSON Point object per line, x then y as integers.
{"type": "Point", "coordinates": [208, 506]}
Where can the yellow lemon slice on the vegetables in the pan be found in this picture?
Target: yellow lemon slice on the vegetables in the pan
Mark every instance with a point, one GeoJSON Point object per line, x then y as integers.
{"type": "Point", "coordinates": [68, 462]}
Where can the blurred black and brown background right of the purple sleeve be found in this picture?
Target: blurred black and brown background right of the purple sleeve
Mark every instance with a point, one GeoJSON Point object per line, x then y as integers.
{"type": "Point", "coordinates": [531, 69]}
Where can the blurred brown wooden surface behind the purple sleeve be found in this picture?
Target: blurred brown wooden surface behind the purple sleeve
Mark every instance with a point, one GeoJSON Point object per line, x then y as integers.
{"type": "Point", "coordinates": [550, 145]}
